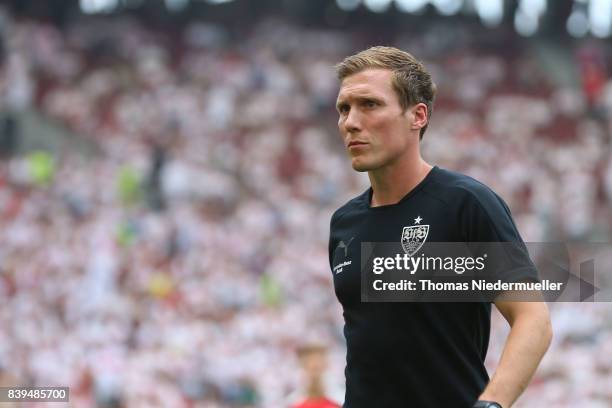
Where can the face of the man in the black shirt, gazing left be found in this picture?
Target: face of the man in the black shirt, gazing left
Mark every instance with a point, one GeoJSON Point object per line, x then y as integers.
{"type": "Point", "coordinates": [373, 125]}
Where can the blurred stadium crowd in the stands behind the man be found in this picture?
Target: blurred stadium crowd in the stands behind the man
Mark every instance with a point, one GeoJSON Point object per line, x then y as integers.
{"type": "Point", "coordinates": [169, 168]}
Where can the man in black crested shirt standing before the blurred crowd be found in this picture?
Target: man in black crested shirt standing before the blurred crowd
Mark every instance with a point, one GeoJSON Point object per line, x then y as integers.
{"type": "Point", "coordinates": [419, 354]}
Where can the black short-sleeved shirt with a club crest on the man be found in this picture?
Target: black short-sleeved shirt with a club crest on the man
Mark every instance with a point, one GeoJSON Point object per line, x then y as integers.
{"type": "Point", "coordinates": [417, 354]}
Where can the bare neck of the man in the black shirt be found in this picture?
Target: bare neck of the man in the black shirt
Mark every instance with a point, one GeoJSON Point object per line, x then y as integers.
{"type": "Point", "coordinates": [391, 183]}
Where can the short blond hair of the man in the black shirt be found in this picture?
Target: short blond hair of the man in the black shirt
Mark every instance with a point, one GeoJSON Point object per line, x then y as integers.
{"type": "Point", "coordinates": [411, 81]}
